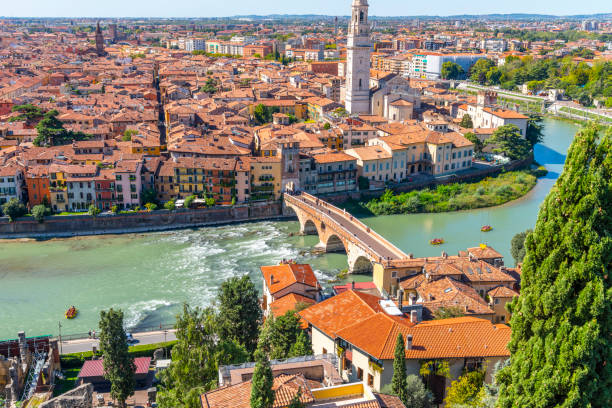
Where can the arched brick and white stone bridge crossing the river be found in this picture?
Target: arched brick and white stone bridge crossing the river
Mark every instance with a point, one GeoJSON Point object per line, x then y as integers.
{"type": "Point", "coordinates": [339, 231]}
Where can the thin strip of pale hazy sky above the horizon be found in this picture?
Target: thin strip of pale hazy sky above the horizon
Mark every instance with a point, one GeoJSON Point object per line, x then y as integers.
{"type": "Point", "coordinates": [213, 8]}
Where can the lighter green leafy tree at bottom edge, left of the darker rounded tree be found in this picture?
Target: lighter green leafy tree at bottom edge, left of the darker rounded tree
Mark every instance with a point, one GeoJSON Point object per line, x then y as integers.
{"type": "Point", "coordinates": [193, 369]}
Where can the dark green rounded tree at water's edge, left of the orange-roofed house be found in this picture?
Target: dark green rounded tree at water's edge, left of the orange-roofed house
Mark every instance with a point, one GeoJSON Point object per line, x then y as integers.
{"type": "Point", "coordinates": [239, 312]}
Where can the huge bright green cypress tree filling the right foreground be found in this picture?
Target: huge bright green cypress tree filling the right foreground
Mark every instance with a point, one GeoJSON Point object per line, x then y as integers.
{"type": "Point", "coordinates": [561, 342]}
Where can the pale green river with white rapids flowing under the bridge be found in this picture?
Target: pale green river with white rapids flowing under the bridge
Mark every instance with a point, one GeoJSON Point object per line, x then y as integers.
{"type": "Point", "coordinates": [150, 275]}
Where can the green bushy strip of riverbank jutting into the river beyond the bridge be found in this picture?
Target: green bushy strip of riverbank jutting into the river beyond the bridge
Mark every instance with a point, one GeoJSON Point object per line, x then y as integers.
{"type": "Point", "coordinates": [490, 192]}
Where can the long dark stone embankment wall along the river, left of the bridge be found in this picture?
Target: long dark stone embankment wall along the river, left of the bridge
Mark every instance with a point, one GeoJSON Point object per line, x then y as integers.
{"type": "Point", "coordinates": [69, 226]}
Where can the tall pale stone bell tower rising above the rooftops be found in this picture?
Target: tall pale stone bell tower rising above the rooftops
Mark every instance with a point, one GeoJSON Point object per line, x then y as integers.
{"type": "Point", "coordinates": [357, 97]}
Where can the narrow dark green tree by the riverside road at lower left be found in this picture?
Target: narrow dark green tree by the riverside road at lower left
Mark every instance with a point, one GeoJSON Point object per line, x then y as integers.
{"type": "Point", "coordinates": [118, 365]}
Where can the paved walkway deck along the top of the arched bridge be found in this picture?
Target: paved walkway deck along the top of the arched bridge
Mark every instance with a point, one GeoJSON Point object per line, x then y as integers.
{"type": "Point", "coordinates": [373, 241]}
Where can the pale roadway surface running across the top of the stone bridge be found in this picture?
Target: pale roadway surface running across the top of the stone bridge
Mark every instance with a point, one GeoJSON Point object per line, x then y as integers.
{"type": "Point", "coordinates": [369, 239]}
